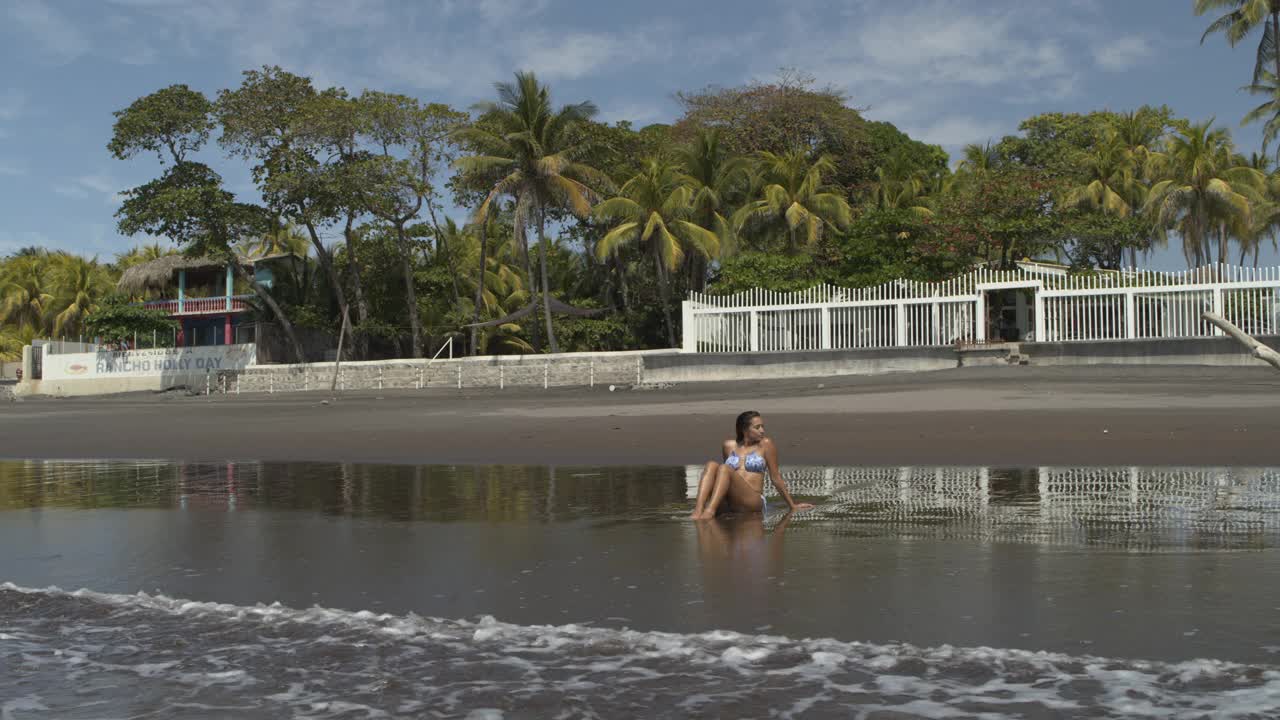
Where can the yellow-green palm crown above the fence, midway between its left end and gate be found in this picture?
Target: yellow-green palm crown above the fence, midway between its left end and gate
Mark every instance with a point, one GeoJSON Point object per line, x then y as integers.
{"type": "Point", "coordinates": [794, 195]}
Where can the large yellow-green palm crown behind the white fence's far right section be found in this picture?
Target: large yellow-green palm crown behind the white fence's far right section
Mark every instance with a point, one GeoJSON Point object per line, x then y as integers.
{"type": "Point", "coordinates": [1203, 189]}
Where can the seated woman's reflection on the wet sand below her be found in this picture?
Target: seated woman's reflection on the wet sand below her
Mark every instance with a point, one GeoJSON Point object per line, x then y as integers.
{"type": "Point", "coordinates": [740, 566]}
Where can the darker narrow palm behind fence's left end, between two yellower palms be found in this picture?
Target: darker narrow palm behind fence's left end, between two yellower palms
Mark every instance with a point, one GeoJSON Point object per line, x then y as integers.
{"type": "Point", "coordinates": [717, 180]}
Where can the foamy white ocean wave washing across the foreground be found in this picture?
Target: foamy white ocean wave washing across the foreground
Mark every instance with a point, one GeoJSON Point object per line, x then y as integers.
{"type": "Point", "coordinates": [67, 651]}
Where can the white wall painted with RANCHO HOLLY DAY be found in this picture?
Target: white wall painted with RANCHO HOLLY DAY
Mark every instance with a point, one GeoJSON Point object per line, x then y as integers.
{"type": "Point", "coordinates": [149, 363]}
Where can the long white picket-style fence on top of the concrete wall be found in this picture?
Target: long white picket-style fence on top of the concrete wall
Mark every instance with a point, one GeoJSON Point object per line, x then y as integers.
{"type": "Point", "coordinates": [1104, 306]}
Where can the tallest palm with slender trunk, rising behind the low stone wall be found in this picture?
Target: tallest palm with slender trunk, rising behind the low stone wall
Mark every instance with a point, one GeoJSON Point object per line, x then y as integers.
{"type": "Point", "coordinates": [534, 160]}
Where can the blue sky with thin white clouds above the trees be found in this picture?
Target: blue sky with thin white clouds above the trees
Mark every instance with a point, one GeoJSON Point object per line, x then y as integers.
{"type": "Point", "coordinates": [949, 72]}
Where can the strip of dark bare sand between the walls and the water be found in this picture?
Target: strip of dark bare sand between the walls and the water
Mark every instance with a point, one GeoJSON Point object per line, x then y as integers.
{"type": "Point", "coordinates": [1104, 416]}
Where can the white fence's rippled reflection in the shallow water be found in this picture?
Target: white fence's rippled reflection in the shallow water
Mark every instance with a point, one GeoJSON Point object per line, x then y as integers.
{"type": "Point", "coordinates": [1126, 507]}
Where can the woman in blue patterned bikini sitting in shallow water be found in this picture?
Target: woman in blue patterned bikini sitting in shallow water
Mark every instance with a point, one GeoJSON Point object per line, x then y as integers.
{"type": "Point", "coordinates": [738, 482]}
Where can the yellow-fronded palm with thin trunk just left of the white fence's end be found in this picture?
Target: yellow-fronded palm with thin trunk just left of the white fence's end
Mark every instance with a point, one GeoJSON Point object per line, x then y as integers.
{"type": "Point", "coordinates": [656, 209]}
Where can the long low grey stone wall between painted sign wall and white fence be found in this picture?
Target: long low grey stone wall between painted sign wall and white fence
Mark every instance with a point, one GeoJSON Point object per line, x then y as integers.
{"type": "Point", "coordinates": [580, 370]}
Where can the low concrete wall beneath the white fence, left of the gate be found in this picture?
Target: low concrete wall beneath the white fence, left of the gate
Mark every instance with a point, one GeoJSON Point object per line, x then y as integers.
{"type": "Point", "coordinates": [707, 367]}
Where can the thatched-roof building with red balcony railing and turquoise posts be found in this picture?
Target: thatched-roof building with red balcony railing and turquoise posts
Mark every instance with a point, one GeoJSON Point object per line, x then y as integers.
{"type": "Point", "coordinates": [208, 298]}
